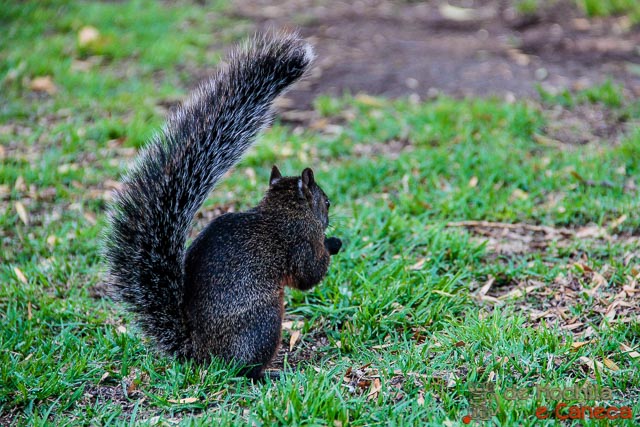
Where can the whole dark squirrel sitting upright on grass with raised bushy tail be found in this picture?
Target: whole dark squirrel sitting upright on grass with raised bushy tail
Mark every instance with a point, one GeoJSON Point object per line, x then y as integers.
{"type": "Point", "coordinates": [223, 296]}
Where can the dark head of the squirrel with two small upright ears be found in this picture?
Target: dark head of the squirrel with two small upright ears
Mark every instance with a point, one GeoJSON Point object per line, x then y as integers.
{"type": "Point", "coordinates": [299, 190]}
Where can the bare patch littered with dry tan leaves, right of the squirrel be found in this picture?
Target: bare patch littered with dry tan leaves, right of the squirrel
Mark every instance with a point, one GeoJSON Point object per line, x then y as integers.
{"type": "Point", "coordinates": [580, 300]}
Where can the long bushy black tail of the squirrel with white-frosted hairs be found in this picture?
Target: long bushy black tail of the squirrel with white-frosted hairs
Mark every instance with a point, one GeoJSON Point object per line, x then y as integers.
{"type": "Point", "coordinates": [151, 216]}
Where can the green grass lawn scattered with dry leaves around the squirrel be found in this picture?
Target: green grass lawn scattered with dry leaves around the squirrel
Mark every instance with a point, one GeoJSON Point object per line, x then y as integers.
{"type": "Point", "coordinates": [400, 302]}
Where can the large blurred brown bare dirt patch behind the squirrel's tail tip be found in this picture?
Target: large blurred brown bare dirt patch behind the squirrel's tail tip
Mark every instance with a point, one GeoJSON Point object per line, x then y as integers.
{"type": "Point", "coordinates": [424, 48]}
